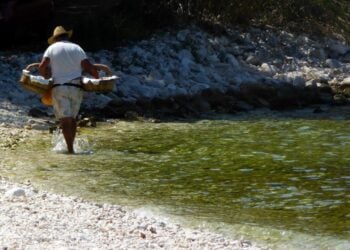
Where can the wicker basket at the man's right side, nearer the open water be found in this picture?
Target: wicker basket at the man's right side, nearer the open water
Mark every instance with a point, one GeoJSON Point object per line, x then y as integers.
{"type": "Point", "coordinates": [103, 84]}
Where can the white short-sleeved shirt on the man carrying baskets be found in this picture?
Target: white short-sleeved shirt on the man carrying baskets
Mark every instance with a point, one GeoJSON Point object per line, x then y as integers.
{"type": "Point", "coordinates": [65, 60]}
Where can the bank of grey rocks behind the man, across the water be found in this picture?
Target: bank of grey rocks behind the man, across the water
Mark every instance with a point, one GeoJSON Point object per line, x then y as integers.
{"type": "Point", "coordinates": [191, 72]}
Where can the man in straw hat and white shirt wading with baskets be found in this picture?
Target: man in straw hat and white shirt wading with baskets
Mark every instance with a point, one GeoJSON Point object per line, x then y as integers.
{"type": "Point", "coordinates": [67, 61]}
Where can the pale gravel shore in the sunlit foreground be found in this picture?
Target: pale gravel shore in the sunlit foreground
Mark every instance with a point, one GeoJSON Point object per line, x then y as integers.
{"type": "Point", "coordinates": [35, 219]}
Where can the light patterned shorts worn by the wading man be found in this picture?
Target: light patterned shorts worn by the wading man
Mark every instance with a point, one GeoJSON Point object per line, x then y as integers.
{"type": "Point", "coordinates": [66, 101]}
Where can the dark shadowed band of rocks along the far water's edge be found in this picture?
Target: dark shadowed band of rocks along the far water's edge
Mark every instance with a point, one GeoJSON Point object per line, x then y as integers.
{"type": "Point", "coordinates": [248, 97]}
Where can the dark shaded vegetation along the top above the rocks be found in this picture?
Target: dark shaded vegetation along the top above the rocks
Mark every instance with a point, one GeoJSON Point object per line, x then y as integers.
{"type": "Point", "coordinates": [103, 24]}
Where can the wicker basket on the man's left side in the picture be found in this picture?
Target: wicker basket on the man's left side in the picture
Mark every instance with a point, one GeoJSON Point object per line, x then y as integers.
{"type": "Point", "coordinates": [32, 83]}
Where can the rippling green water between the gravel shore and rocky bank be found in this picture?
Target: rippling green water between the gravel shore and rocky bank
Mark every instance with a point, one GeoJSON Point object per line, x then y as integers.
{"type": "Point", "coordinates": [269, 178]}
